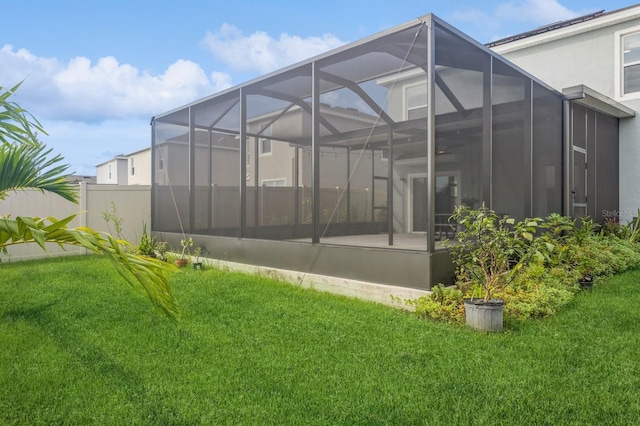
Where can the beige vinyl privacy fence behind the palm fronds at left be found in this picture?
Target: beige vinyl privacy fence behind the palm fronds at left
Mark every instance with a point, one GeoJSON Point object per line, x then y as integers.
{"type": "Point", "coordinates": [132, 204]}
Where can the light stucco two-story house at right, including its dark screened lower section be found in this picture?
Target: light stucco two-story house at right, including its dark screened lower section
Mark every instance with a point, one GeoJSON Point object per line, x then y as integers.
{"type": "Point", "coordinates": [592, 59]}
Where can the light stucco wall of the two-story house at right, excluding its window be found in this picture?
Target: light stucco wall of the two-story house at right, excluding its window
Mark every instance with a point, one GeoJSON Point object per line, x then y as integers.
{"type": "Point", "coordinates": [590, 53]}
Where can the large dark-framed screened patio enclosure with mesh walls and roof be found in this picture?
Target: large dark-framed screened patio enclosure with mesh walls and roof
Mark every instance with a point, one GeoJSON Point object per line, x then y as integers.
{"type": "Point", "coordinates": [350, 164]}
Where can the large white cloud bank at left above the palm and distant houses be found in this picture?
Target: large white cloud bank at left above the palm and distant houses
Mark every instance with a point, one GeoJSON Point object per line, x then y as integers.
{"type": "Point", "coordinates": [84, 91]}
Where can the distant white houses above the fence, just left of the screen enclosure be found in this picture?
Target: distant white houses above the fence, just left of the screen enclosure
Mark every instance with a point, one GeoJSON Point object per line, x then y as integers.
{"type": "Point", "coordinates": [129, 169]}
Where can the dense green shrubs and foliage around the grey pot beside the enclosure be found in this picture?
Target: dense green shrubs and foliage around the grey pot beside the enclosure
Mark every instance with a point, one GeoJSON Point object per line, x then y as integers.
{"type": "Point", "coordinates": [533, 265]}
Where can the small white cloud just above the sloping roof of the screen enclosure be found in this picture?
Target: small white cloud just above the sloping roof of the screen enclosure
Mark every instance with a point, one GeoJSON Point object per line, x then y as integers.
{"type": "Point", "coordinates": [261, 52]}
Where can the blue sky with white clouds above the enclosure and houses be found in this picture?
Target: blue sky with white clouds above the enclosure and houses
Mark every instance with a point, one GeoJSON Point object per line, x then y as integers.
{"type": "Point", "coordinates": [95, 72]}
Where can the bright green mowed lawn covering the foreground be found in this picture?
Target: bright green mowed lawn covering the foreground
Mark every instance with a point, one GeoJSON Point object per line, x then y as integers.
{"type": "Point", "coordinates": [78, 346]}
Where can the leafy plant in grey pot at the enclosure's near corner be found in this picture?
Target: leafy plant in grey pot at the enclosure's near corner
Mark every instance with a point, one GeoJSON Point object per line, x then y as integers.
{"type": "Point", "coordinates": [490, 251]}
